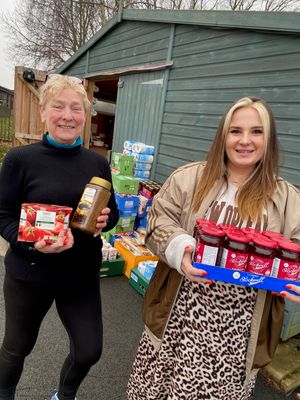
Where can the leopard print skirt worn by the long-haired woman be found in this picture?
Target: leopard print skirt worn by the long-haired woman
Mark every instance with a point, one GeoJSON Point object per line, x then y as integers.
{"type": "Point", "coordinates": [203, 352]}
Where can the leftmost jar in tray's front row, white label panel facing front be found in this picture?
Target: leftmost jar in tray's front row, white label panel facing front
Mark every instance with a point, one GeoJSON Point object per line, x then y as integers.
{"type": "Point", "coordinates": [208, 245]}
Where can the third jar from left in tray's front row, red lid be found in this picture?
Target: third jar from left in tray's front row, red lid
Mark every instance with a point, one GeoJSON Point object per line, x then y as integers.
{"type": "Point", "coordinates": [261, 255]}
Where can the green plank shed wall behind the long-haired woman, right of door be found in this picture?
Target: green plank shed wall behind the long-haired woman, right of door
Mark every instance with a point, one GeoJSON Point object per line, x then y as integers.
{"type": "Point", "coordinates": [214, 67]}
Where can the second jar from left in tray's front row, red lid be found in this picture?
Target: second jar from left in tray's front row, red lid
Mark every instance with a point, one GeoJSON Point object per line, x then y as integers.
{"type": "Point", "coordinates": [235, 251]}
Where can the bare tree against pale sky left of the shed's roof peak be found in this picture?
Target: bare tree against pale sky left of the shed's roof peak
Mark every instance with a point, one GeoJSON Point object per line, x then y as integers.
{"type": "Point", "coordinates": [46, 32]}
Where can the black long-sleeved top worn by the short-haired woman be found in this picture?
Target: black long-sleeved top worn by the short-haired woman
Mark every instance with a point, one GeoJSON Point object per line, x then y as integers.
{"type": "Point", "coordinates": [43, 173]}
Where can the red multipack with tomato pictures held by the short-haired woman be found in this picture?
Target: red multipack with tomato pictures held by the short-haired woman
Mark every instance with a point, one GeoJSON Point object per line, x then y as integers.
{"type": "Point", "coordinates": [42, 222]}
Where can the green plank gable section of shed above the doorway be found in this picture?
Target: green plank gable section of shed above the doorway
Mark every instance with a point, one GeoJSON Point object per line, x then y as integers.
{"type": "Point", "coordinates": [127, 44]}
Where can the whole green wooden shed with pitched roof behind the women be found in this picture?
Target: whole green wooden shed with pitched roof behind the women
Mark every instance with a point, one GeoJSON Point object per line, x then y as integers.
{"type": "Point", "coordinates": [171, 74]}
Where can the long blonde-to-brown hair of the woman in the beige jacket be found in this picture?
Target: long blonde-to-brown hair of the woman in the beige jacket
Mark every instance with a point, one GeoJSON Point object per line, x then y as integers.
{"type": "Point", "coordinates": [261, 184]}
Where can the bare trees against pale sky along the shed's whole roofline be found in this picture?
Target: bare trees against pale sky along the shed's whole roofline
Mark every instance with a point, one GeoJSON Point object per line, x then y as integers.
{"type": "Point", "coordinates": [45, 33]}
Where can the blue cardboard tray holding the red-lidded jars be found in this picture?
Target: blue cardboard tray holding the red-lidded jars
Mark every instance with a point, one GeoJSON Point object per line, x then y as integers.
{"type": "Point", "coordinates": [246, 278]}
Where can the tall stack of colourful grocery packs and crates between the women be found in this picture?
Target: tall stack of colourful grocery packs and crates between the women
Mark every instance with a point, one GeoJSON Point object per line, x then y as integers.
{"type": "Point", "coordinates": [134, 198]}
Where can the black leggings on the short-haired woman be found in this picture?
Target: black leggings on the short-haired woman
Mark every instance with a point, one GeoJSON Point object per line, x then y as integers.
{"type": "Point", "coordinates": [26, 304]}
